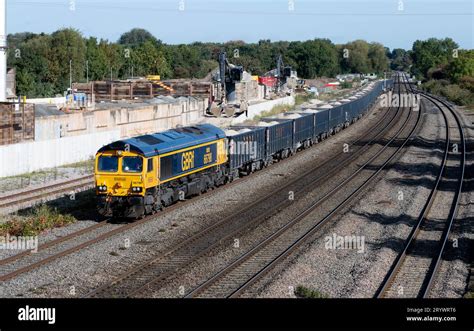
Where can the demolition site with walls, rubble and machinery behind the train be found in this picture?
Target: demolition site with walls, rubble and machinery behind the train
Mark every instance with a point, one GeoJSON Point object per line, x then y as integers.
{"type": "Point", "coordinates": [96, 113]}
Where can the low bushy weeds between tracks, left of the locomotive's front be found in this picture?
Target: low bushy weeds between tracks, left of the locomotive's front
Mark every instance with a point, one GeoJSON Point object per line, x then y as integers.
{"type": "Point", "coordinates": [40, 219]}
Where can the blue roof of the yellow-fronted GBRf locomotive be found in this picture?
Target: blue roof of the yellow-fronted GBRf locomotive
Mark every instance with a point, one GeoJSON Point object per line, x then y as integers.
{"type": "Point", "coordinates": [168, 141]}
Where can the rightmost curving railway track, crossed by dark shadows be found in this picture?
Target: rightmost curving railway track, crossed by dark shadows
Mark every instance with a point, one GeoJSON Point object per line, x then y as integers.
{"type": "Point", "coordinates": [414, 271]}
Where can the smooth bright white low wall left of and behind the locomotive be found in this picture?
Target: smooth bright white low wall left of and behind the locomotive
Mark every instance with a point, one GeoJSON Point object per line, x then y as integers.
{"type": "Point", "coordinates": [27, 157]}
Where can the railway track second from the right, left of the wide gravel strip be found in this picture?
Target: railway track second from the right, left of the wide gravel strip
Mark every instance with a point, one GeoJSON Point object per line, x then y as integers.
{"type": "Point", "coordinates": [239, 276]}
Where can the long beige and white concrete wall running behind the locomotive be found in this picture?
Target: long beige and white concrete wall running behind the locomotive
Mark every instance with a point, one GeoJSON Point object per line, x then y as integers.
{"type": "Point", "coordinates": [75, 137]}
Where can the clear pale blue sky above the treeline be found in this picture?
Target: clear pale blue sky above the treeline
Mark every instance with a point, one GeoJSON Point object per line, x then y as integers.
{"type": "Point", "coordinates": [394, 23]}
